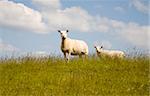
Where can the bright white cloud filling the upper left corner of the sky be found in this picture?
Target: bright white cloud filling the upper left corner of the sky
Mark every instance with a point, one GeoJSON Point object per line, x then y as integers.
{"type": "Point", "coordinates": [18, 16]}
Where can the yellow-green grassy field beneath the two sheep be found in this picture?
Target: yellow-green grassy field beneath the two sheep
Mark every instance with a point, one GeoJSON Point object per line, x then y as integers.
{"type": "Point", "coordinates": [91, 77]}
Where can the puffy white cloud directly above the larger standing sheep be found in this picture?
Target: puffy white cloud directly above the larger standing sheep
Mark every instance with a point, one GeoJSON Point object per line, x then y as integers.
{"type": "Point", "coordinates": [74, 18]}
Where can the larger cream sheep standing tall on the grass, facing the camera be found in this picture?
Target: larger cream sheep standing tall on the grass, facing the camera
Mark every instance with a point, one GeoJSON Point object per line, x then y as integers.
{"type": "Point", "coordinates": [72, 46]}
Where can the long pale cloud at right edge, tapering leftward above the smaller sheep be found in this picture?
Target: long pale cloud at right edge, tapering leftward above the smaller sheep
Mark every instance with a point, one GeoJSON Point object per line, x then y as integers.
{"type": "Point", "coordinates": [132, 32]}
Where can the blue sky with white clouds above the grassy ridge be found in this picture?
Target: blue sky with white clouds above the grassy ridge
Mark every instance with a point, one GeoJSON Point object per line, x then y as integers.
{"type": "Point", "coordinates": [30, 26]}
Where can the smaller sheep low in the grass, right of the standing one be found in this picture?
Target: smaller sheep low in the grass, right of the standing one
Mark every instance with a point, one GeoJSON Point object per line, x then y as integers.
{"type": "Point", "coordinates": [109, 53]}
